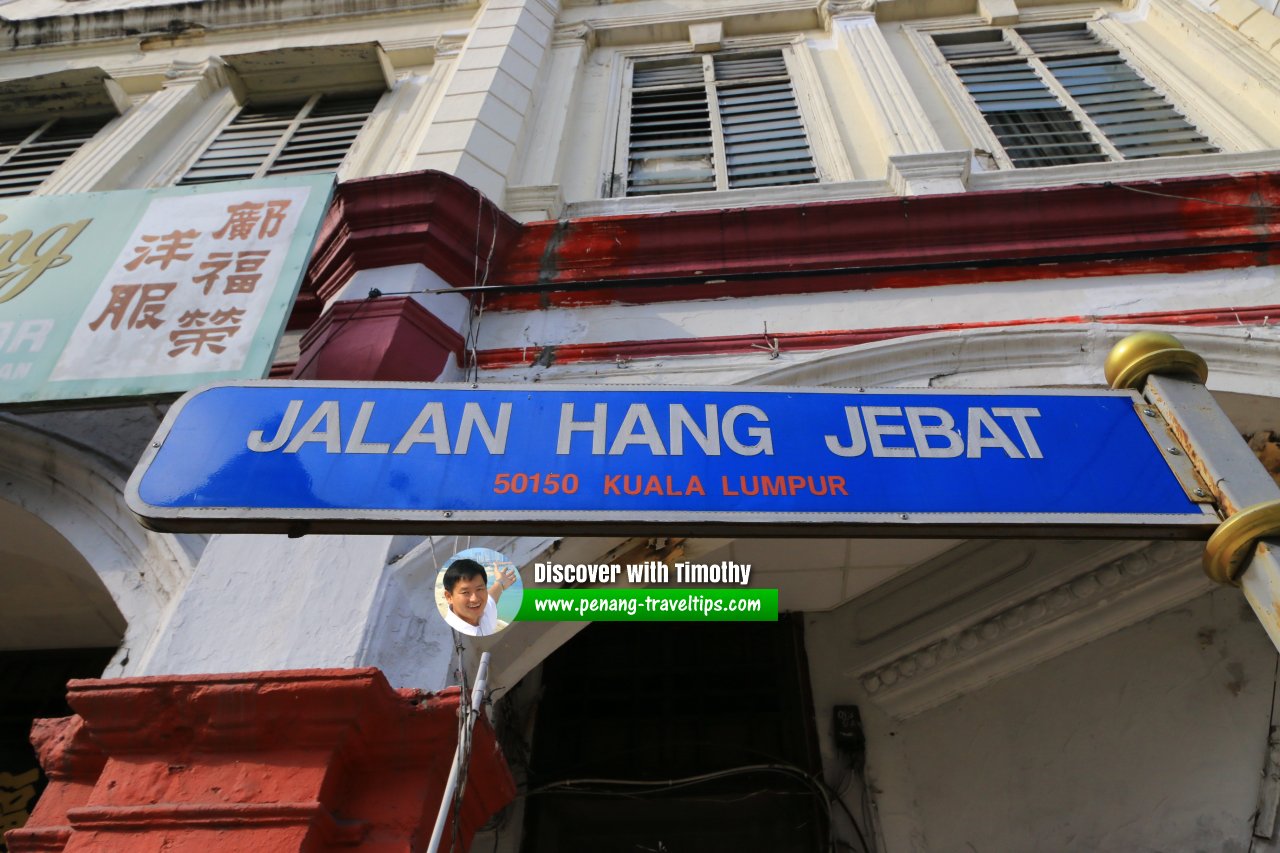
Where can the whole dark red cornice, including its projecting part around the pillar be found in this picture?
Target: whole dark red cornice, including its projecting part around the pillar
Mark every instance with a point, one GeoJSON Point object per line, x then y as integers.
{"type": "Point", "coordinates": [432, 218]}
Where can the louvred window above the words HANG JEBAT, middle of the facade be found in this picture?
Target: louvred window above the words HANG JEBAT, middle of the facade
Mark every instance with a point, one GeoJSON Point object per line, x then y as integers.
{"type": "Point", "coordinates": [708, 122]}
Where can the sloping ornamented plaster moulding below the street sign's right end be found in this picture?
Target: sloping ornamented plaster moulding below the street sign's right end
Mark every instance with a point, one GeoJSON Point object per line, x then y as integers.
{"type": "Point", "coordinates": [1031, 631]}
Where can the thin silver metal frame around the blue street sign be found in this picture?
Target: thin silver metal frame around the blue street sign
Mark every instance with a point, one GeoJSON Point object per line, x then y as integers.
{"type": "Point", "coordinates": [1196, 523]}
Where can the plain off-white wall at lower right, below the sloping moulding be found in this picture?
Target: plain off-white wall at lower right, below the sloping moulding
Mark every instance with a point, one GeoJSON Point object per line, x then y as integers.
{"type": "Point", "coordinates": [1150, 740]}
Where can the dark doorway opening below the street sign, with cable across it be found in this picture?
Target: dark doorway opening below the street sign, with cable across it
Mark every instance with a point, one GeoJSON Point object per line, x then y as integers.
{"type": "Point", "coordinates": [724, 708]}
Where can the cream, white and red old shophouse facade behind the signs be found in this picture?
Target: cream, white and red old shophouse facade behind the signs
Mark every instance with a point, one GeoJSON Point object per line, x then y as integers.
{"type": "Point", "coordinates": [870, 194]}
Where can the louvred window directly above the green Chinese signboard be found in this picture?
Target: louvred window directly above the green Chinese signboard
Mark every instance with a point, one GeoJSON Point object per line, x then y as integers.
{"type": "Point", "coordinates": [299, 138]}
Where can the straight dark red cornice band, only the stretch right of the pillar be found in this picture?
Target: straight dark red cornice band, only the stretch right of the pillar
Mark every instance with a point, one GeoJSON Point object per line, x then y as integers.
{"type": "Point", "coordinates": [840, 245]}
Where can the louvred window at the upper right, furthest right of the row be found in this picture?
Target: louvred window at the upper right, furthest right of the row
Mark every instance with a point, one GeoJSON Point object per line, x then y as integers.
{"type": "Point", "coordinates": [1059, 95]}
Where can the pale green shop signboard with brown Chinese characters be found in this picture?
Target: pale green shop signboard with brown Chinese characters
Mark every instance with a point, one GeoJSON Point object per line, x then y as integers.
{"type": "Point", "coordinates": [145, 293]}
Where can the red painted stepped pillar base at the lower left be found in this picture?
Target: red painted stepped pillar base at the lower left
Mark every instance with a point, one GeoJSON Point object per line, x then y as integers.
{"type": "Point", "coordinates": [313, 760]}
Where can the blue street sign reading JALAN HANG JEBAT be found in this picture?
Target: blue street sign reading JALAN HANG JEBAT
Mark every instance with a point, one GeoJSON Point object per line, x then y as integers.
{"type": "Point", "coordinates": [628, 460]}
